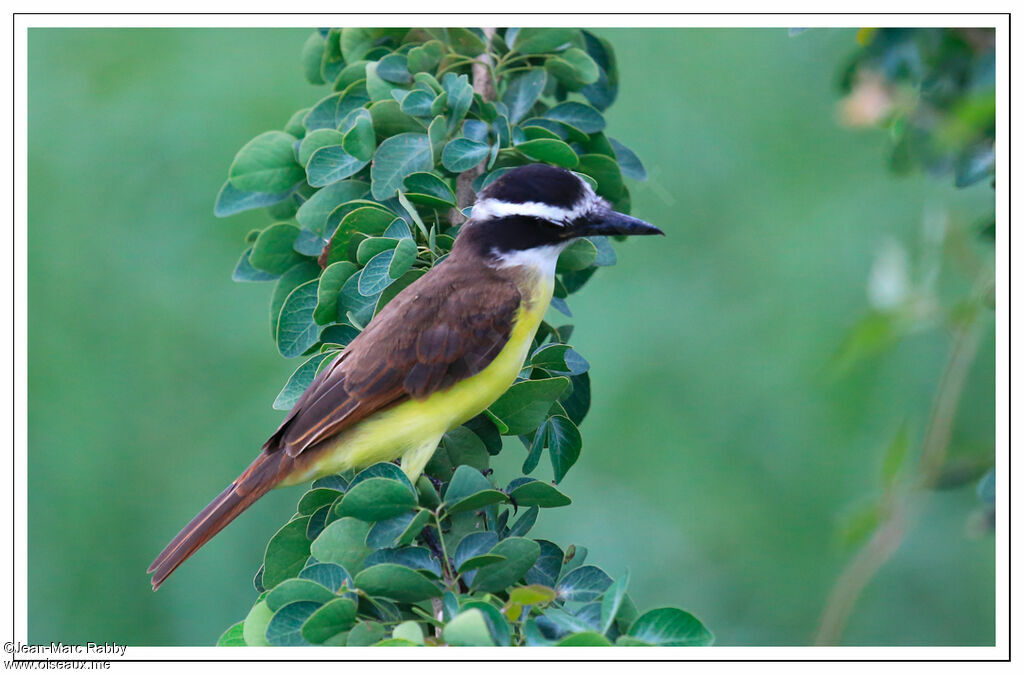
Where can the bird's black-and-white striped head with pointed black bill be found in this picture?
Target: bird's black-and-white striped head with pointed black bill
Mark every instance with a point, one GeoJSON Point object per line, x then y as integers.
{"type": "Point", "coordinates": [532, 214]}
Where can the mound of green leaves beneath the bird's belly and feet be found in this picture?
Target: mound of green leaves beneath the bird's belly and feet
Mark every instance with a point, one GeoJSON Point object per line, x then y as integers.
{"type": "Point", "coordinates": [372, 560]}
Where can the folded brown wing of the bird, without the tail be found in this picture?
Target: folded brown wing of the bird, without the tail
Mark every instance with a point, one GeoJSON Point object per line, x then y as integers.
{"type": "Point", "coordinates": [447, 326]}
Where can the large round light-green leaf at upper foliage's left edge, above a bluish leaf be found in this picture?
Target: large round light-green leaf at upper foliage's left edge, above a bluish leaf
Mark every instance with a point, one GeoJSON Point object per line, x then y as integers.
{"type": "Point", "coordinates": [267, 164]}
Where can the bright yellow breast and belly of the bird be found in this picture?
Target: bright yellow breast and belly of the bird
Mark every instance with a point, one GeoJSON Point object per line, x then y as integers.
{"type": "Point", "coordinates": [413, 429]}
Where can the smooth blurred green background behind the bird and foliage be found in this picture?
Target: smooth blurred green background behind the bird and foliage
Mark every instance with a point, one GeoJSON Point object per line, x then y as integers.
{"type": "Point", "coordinates": [719, 454]}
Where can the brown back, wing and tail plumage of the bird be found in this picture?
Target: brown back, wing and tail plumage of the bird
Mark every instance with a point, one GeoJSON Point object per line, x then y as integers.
{"type": "Point", "coordinates": [447, 326]}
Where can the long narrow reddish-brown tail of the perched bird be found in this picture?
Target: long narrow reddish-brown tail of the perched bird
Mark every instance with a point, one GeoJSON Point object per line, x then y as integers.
{"type": "Point", "coordinates": [259, 480]}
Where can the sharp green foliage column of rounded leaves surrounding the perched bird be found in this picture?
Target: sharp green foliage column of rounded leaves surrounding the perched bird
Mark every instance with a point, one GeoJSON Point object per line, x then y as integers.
{"type": "Point", "coordinates": [370, 176]}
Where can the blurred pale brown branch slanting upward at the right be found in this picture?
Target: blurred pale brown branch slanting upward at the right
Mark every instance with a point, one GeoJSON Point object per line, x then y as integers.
{"type": "Point", "coordinates": [889, 535]}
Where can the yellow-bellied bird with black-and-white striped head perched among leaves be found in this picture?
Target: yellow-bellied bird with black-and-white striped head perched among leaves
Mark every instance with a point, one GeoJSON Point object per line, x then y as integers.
{"type": "Point", "coordinates": [437, 356]}
